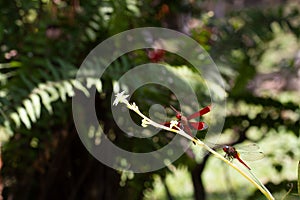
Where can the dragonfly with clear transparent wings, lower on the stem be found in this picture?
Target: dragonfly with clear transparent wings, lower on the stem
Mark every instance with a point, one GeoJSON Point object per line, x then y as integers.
{"type": "Point", "coordinates": [250, 153]}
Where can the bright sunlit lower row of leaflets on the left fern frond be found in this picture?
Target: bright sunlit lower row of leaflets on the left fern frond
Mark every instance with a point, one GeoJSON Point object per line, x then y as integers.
{"type": "Point", "coordinates": [47, 93]}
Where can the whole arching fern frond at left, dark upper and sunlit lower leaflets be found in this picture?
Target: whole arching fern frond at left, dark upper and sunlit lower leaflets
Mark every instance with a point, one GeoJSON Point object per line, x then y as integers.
{"type": "Point", "coordinates": [23, 100]}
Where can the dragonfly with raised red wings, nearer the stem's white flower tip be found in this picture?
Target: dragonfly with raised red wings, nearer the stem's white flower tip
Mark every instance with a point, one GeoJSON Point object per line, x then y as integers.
{"type": "Point", "coordinates": [185, 123]}
